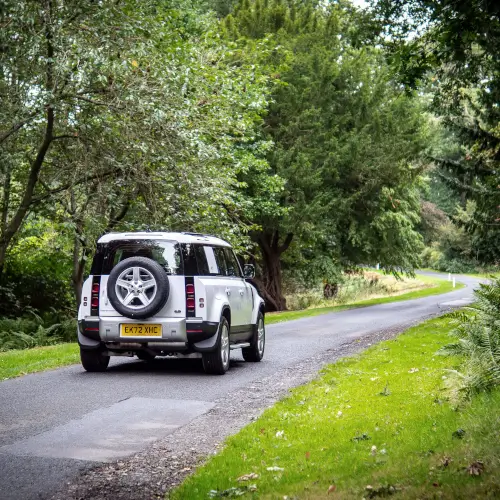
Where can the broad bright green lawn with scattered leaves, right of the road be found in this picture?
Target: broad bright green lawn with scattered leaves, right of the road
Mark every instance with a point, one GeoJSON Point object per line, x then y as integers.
{"type": "Point", "coordinates": [390, 397]}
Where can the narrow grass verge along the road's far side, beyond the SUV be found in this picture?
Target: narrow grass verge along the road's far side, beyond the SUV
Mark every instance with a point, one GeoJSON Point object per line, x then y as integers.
{"type": "Point", "coordinates": [439, 286]}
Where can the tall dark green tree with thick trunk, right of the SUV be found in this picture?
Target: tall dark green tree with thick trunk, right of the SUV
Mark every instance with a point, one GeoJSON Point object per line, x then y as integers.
{"type": "Point", "coordinates": [344, 137]}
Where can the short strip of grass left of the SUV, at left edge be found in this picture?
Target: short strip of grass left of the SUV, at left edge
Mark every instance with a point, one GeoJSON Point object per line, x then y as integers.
{"type": "Point", "coordinates": [20, 362]}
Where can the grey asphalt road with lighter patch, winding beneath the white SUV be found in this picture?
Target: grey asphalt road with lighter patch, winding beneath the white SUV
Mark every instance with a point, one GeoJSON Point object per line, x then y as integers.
{"type": "Point", "coordinates": [55, 424]}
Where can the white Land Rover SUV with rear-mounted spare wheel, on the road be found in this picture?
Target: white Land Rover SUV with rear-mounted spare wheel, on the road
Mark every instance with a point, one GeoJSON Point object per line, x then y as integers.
{"type": "Point", "coordinates": [160, 294]}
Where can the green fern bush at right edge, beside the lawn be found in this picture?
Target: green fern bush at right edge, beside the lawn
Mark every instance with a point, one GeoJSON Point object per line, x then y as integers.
{"type": "Point", "coordinates": [477, 334]}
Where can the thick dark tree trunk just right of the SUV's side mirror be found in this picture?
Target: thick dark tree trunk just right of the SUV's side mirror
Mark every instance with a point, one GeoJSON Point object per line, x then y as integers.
{"type": "Point", "coordinates": [270, 286]}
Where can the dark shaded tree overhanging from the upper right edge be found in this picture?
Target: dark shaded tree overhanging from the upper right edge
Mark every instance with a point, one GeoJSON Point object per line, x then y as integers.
{"type": "Point", "coordinates": [456, 51]}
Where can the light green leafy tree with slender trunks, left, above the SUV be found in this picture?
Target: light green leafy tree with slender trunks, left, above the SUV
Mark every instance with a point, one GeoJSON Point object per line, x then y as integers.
{"type": "Point", "coordinates": [113, 105]}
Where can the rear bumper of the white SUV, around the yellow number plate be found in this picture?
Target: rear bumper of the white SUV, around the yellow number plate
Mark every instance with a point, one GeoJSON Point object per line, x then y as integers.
{"type": "Point", "coordinates": [177, 334]}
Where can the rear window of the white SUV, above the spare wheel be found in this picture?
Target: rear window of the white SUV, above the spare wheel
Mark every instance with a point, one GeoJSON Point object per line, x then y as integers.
{"type": "Point", "coordinates": [166, 253]}
